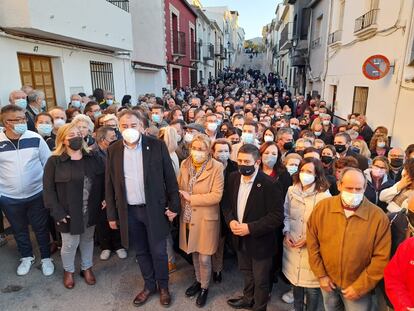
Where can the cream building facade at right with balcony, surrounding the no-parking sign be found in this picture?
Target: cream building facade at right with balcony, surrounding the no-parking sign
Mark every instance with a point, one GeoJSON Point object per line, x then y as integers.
{"type": "Point", "coordinates": [359, 30]}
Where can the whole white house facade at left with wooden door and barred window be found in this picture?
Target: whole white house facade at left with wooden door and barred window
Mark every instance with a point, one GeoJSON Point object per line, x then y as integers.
{"type": "Point", "coordinates": [61, 50]}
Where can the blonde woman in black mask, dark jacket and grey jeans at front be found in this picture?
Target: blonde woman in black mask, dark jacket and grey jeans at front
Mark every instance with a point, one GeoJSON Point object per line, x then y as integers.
{"type": "Point", "coordinates": [73, 190]}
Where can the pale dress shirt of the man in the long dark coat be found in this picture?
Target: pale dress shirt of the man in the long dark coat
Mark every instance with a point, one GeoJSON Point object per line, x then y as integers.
{"type": "Point", "coordinates": [134, 174]}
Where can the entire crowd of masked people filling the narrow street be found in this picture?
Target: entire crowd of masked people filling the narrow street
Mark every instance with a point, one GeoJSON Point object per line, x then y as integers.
{"type": "Point", "coordinates": [237, 166]}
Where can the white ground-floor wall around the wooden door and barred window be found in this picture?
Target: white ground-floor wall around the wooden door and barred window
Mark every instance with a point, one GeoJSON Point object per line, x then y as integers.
{"type": "Point", "coordinates": [71, 68]}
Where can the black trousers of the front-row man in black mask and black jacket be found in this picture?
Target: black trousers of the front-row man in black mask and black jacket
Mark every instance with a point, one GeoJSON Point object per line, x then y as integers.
{"type": "Point", "coordinates": [256, 279]}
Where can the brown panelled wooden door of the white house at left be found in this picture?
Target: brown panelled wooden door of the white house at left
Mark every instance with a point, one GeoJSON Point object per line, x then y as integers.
{"type": "Point", "coordinates": [36, 71]}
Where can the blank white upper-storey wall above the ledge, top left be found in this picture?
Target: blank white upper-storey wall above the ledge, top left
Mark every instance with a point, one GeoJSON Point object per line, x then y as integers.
{"type": "Point", "coordinates": [92, 22]}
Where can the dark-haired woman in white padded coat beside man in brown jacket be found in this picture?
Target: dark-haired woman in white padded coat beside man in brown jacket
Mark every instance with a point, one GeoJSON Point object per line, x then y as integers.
{"type": "Point", "coordinates": [309, 187]}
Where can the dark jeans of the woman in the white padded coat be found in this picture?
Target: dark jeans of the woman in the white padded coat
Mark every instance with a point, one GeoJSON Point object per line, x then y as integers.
{"type": "Point", "coordinates": [314, 300]}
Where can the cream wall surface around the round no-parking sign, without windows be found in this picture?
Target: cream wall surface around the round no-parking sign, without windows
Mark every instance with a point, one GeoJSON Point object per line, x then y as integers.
{"type": "Point", "coordinates": [345, 65]}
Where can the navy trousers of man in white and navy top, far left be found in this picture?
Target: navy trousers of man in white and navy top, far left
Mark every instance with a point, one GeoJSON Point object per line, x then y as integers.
{"type": "Point", "coordinates": [21, 213]}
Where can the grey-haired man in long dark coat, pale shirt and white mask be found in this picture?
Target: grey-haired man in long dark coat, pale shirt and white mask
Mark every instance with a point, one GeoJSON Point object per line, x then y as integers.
{"type": "Point", "coordinates": [142, 195]}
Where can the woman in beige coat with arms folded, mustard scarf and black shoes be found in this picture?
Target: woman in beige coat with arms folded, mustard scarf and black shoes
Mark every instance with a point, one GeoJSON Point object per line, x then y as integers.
{"type": "Point", "coordinates": [201, 182]}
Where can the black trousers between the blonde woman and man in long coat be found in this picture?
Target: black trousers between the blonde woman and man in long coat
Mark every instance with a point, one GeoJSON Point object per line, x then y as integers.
{"type": "Point", "coordinates": [107, 238]}
